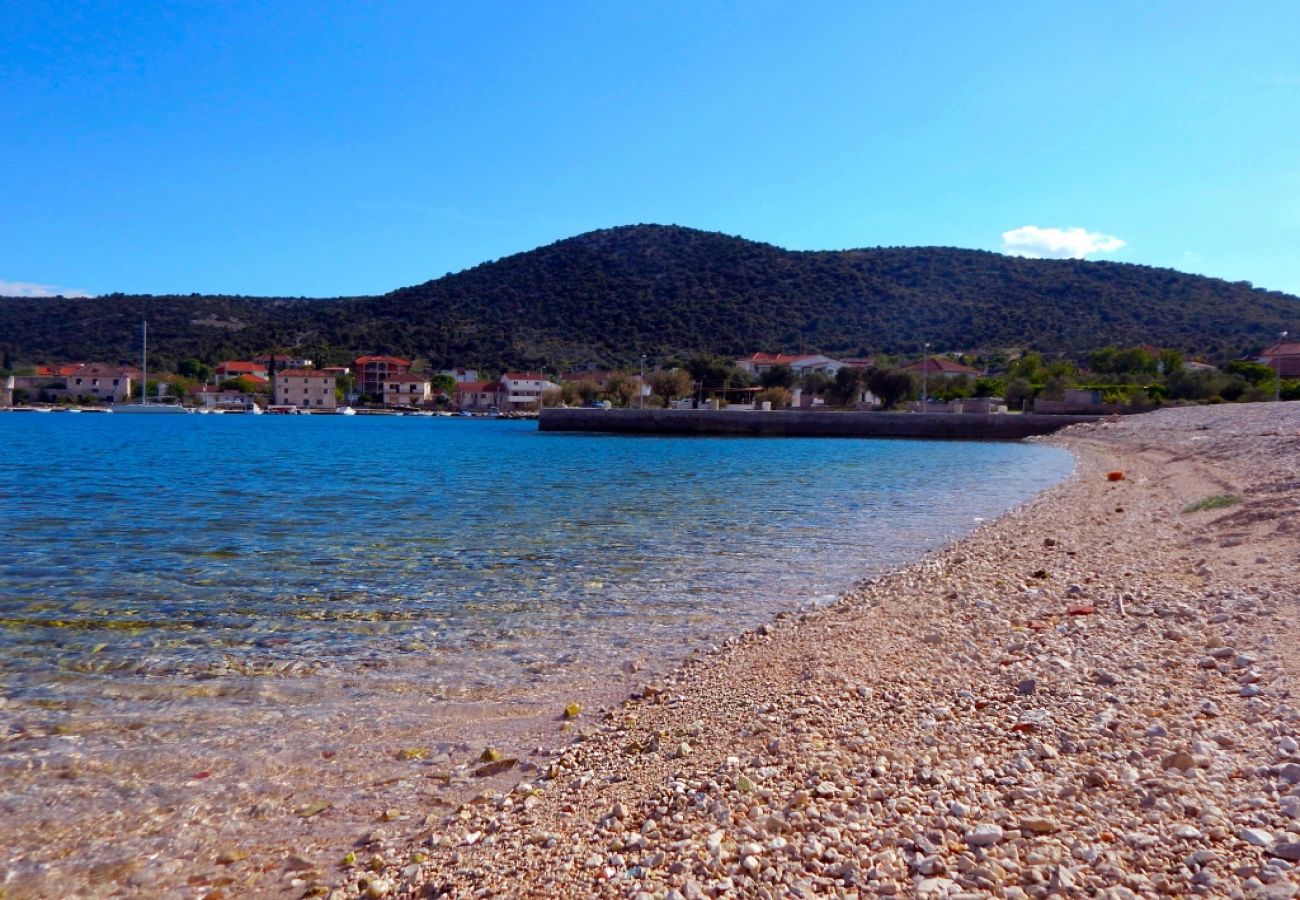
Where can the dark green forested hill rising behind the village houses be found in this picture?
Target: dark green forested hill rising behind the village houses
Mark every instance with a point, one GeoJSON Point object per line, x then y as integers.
{"type": "Point", "coordinates": [610, 296]}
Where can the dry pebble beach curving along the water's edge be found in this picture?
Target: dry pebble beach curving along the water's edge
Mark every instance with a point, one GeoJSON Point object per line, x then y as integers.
{"type": "Point", "coordinates": [1089, 698]}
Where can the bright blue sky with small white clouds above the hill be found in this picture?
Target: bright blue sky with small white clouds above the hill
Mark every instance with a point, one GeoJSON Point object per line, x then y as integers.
{"type": "Point", "coordinates": [336, 149]}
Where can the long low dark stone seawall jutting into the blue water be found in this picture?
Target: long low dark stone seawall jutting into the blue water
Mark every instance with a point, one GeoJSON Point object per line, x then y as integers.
{"type": "Point", "coordinates": [788, 423]}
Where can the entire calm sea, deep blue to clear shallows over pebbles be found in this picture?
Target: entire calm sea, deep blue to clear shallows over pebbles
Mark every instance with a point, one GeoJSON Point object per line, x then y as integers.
{"type": "Point", "coordinates": [210, 625]}
